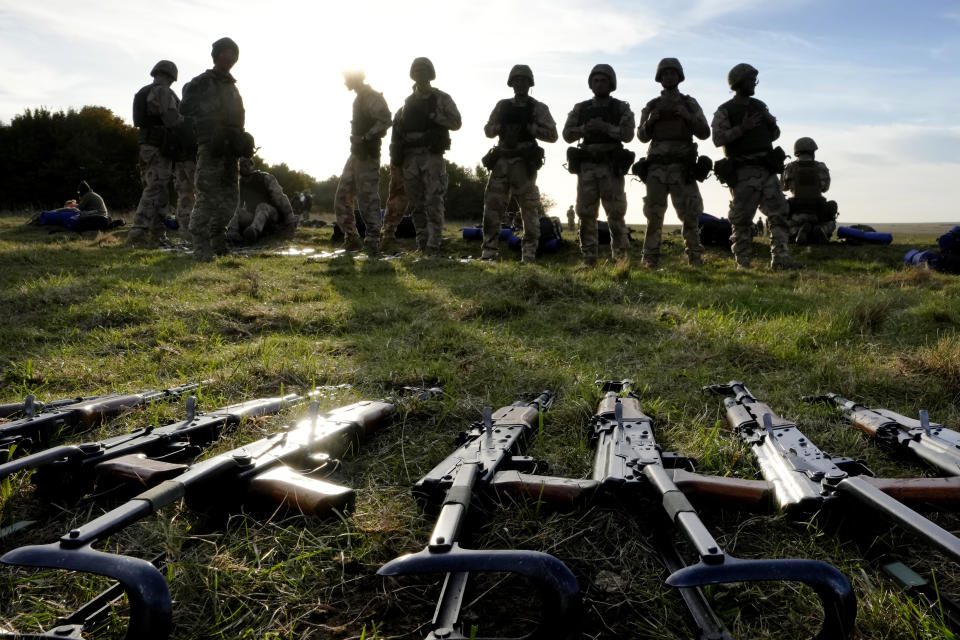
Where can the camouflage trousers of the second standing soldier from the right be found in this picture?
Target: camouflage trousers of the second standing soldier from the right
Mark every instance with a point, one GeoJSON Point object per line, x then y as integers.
{"type": "Point", "coordinates": [687, 202]}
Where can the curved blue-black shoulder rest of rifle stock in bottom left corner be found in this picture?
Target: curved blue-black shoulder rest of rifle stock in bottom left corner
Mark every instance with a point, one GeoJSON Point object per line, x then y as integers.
{"type": "Point", "coordinates": [147, 591]}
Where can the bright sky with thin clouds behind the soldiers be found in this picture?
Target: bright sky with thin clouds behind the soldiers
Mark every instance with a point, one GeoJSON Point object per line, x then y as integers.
{"type": "Point", "coordinates": [875, 83]}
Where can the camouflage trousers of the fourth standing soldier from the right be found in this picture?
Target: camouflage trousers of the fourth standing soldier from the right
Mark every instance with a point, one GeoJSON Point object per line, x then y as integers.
{"type": "Point", "coordinates": [510, 178]}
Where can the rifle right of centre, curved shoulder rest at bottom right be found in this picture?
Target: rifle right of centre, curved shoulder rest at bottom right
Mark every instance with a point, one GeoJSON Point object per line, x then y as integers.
{"type": "Point", "coordinates": [629, 465]}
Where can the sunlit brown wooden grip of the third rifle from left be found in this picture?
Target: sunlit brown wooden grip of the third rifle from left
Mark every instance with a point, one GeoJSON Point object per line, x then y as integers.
{"type": "Point", "coordinates": [284, 486]}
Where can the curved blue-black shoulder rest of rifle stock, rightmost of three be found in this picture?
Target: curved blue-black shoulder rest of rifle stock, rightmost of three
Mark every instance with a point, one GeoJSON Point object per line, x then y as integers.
{"type": "Point", "coordinates": [832, 587]}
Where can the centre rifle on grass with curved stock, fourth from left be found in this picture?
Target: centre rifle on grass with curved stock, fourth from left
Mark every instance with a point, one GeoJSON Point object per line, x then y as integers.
{"type": "Point", "coordinates": [488, 448]}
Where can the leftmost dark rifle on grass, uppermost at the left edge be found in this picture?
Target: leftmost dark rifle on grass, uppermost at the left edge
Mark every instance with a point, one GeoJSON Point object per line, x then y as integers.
{"type": "Point", "coordinates": [19, 435]}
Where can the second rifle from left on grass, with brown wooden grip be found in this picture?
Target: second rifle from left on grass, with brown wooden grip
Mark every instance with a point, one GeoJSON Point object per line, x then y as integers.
{"type": "Point", "coordinates": [142, 457]}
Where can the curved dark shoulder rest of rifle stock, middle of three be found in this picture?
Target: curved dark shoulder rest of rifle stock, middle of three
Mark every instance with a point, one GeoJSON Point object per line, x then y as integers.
{"type": "Point", "coordinates": [557, 583]}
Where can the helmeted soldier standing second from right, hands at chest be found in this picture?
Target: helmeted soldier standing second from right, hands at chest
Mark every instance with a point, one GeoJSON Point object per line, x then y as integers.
{"type": "Point", "coordinates": [669, 123]}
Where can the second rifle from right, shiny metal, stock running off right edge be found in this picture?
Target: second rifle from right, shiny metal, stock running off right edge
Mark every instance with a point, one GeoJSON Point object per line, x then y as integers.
{"type": "Point", "coordinates": [807, 479]}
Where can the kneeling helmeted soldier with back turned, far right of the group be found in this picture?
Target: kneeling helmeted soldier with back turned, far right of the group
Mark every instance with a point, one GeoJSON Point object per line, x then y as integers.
{"type": "Point", "coordinates": [812, 218]}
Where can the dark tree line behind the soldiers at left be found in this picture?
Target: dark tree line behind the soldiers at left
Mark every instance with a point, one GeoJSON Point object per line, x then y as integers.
{"type": "Point", "coordinates": [47, 153]}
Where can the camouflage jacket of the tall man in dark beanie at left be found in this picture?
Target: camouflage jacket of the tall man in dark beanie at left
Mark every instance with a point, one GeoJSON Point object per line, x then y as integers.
{"type": "Point", "coordinates": [213, 101]}
